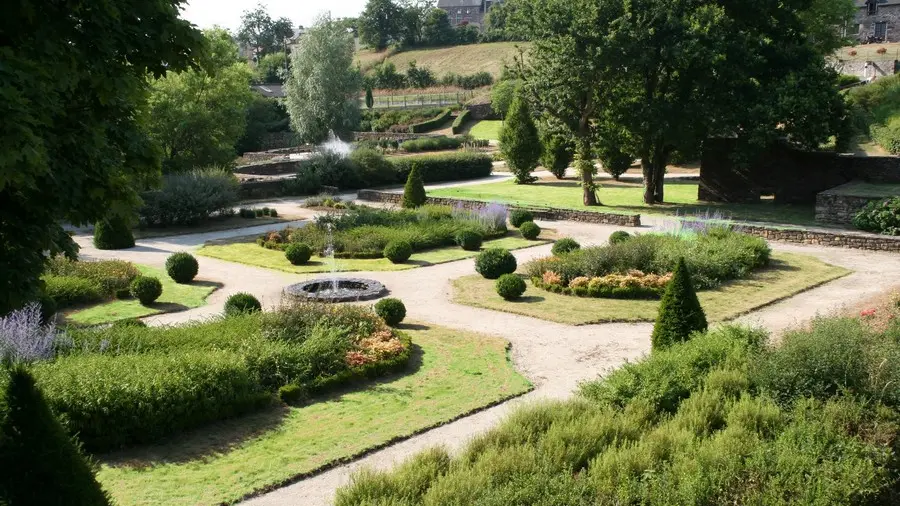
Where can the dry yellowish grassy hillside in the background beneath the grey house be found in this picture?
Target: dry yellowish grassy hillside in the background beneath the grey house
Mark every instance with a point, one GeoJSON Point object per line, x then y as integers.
{"type": "Point", "coordinates": [466, 59]}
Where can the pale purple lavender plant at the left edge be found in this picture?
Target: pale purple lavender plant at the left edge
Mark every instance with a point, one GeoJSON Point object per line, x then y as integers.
{"type": "Point", "coordinates": [24, 338]}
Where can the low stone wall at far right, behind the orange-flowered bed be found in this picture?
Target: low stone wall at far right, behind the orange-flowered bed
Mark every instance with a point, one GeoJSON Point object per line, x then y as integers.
{"type": "Point", "coordinates": [855, 240]}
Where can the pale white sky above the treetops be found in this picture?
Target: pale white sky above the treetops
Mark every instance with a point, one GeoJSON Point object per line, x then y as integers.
{"type": "Point", "coordinates": [227, 13]}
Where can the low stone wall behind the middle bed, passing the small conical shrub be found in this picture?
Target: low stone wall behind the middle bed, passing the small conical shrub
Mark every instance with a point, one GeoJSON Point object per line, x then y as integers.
{"type": "Point", "coordinates": [544, 213]}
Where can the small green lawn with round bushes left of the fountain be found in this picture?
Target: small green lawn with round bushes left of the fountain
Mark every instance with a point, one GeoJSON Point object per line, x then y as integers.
{"type": "Point", "coordinates": [175, 297]}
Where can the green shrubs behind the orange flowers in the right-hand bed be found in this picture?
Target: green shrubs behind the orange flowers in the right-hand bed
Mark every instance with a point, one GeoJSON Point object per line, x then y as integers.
{"type": "Point", "coordinates": [713, 257]}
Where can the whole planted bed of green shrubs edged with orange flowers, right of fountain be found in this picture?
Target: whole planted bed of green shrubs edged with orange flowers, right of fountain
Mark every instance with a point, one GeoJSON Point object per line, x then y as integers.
{"type": "Point", "coordinates": [641, 266]}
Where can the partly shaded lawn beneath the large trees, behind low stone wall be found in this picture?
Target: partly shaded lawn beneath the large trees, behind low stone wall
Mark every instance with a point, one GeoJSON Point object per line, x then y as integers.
{"type": "Point", "coordinates": [681, 199]}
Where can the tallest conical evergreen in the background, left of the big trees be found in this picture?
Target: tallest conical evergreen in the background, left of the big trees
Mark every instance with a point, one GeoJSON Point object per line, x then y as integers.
{"type": "Point", "coordinates": [520, 142]}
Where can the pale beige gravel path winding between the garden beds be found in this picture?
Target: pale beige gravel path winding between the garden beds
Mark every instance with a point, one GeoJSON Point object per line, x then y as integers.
{"type": "Point", "coordinates": [553, 356]}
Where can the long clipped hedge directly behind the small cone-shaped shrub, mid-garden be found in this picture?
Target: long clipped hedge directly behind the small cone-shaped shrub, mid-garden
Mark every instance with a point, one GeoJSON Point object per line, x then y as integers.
{"type": "Point", "coordinates": [445, 167]}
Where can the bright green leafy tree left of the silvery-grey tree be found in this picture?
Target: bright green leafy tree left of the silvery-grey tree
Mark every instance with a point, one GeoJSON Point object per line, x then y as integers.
{"type": "Point", "coordinates": [197, 116]}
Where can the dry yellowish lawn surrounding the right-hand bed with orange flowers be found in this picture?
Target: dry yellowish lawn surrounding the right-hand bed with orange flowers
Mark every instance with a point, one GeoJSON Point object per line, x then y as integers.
{"type": "Point", "coordinates": [788, 275]}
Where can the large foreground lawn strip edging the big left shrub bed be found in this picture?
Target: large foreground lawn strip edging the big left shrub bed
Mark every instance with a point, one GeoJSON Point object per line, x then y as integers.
{"type": "Point", "coordinates": [224, 462]}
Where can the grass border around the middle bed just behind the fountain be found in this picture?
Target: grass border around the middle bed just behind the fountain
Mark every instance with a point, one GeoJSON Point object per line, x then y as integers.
{"type": "Point", "coordinates": [251, 254]}
